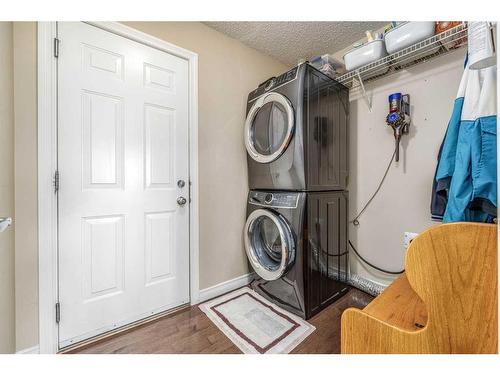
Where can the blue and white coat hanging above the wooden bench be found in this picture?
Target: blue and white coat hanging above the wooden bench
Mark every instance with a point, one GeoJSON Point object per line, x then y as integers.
{"type": "Point", "coordinates": [467, 169]}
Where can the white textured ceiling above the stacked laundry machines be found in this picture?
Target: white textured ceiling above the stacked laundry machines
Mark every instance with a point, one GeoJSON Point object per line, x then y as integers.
{"type": "Point", "coordinates": [290, 41]}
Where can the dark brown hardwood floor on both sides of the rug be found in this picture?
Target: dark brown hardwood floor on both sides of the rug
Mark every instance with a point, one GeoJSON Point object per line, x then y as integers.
{"type": "Point", "coordinates": [190, 331]}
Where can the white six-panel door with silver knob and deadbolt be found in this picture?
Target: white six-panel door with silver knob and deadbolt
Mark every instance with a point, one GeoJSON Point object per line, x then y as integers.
{"type": "Point", "coordinates": [122, 148]}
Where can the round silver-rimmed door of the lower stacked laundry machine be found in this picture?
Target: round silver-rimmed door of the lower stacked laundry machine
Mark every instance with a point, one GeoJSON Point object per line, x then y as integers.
{"type": "Point", "coordinates": [269, 244]}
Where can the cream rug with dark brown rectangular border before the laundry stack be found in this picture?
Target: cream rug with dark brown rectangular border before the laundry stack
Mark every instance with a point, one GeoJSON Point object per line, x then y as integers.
{"type": "Point", "coordinates": [256, 325]}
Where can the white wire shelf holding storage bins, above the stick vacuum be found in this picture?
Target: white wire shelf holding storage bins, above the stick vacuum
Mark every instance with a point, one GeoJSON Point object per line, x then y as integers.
{"type": "Point", "coordinates": [439, 44]}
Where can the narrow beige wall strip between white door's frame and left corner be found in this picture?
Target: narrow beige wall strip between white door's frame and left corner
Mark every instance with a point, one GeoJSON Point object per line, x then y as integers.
{"type": "Point", "coordinates": [25, 110]}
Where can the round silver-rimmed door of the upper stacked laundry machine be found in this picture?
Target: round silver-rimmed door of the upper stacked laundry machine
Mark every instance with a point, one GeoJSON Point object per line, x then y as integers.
{"type": "Point", "coordinates": [269, 127]}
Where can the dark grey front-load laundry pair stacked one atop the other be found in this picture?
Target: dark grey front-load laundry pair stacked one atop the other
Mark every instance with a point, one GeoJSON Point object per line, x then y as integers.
{"type": "Point", "coordinates": [296, 136]}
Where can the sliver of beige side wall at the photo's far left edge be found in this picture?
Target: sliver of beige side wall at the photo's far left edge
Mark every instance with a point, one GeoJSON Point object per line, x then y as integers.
{"type": "Point", "coordinates": [7, 333]}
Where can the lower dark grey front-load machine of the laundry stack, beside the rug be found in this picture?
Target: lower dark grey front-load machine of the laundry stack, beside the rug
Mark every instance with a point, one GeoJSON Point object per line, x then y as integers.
{"type": "Point", "coordinates": [296, 242]}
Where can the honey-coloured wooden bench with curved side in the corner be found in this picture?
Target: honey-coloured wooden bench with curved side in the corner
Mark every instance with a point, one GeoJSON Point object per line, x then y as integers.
{"type": "Point", "coordinates": [446, 302]}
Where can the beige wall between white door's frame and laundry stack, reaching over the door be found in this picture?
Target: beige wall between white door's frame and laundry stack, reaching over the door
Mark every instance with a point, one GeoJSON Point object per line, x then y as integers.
{"type": "Point", "coordinates": [228, 71]}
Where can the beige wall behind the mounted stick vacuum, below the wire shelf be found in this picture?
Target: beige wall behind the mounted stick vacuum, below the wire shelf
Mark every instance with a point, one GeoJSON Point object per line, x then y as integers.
{"type": "Point", "coordinates": [403, 202]}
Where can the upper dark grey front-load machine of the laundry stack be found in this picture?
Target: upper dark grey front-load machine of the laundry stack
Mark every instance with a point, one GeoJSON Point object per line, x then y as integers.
{"type": "Point", "coordinates": [296, 132]}
